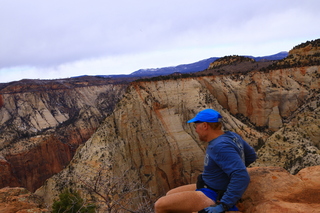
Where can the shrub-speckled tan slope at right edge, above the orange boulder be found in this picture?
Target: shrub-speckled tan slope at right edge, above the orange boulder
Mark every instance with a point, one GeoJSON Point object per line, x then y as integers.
{"type": "Point", "coordinates": [296, 144]}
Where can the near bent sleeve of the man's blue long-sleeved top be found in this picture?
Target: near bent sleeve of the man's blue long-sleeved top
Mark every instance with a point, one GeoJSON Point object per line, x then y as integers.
{"type": "Point", "coordinates": [229, 160]}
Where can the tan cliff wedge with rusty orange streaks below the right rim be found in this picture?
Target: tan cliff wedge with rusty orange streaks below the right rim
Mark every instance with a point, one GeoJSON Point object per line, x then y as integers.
{"type": "Point", "coordinates": [265, 98]}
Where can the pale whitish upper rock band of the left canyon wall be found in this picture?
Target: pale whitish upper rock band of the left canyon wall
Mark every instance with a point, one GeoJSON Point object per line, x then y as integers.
{"type": "Point", "coordinates": [32, 112]}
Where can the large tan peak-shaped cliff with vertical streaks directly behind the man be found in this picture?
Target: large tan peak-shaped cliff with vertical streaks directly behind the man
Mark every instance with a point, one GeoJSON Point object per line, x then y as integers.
{"type": "Point", "coordinates": [147, 133]}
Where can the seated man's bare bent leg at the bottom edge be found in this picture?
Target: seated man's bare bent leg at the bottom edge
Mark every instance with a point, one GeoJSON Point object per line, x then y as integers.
{"type": "Point", "coordinates": [183, 202]}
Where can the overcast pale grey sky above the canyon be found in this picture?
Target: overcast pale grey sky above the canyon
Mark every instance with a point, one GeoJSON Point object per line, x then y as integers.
{"type": "Point", "coordinates": [49, 39]}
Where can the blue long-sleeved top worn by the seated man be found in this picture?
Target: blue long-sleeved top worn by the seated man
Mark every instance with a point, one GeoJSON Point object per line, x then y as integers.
{"type": "Point", "coordinates": [227, 157]}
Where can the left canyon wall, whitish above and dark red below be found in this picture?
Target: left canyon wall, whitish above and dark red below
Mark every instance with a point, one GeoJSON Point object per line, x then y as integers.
{"type": "Point", "coordinates": [42, 124]}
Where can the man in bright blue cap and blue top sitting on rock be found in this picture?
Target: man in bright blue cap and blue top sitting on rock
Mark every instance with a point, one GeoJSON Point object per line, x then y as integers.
{"type": "Point", "coordinates": [225, 176]}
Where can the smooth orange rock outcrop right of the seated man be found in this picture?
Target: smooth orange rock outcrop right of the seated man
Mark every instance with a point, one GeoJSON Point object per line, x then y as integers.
{"type": "Point", "coordinates": [273, 189]}
